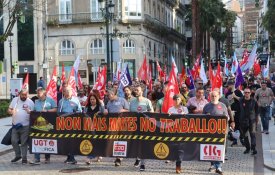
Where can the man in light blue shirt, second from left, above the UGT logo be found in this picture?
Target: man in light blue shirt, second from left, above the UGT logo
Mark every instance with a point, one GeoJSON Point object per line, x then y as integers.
{"type": "Point", "coordinates": [43, 104]}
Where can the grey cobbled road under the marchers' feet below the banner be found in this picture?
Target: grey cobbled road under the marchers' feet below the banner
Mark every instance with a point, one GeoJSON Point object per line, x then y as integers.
{"type": "Point", "coordinates": [238, 164]}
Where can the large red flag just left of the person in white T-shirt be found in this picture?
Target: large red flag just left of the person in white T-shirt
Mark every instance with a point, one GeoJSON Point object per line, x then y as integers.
{"type": "Point", "coordinates": [172, 89]}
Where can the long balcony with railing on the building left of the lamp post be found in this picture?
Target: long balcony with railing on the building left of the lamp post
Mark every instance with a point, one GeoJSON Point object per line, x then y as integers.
{"type": "Point", "coordinates": [78, 18]}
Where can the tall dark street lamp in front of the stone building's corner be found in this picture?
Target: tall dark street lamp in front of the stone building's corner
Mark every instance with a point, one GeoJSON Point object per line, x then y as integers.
{"type": "Point", "coordinates": [107, 8]}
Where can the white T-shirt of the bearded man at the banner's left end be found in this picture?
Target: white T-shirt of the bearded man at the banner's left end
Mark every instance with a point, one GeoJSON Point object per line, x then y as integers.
{"type": "Point", "coordinates": [21, 116]}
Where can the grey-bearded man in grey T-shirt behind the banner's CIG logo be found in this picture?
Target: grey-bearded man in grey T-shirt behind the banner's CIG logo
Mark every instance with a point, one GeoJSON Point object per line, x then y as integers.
{"type": "Point", "coordinates": [215, 108]}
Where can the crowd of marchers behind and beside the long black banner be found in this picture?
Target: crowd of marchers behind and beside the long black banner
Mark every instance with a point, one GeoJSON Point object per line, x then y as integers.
{"type": "Point", "coordinates": [243, 106]}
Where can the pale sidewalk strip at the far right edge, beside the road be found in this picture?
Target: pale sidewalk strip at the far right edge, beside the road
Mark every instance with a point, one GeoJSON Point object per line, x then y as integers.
{"type": "Point", "coordinates": [268, 142]}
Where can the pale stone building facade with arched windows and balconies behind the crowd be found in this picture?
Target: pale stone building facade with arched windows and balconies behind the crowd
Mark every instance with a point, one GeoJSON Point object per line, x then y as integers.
{"type": "Point", "coordinates": [155, 28]}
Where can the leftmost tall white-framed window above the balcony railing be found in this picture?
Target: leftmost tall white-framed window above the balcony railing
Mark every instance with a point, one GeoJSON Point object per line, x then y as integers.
{"type": "Point", "coordinates": [65, 10]}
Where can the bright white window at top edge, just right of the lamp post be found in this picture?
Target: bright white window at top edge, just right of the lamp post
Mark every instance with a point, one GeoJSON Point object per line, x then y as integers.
{"type": "Point", "coordinates": [133, 9]}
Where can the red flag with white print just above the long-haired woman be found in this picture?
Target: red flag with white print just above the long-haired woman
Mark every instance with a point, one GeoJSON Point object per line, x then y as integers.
{"type": "Point", "coordinates": [100, 84]}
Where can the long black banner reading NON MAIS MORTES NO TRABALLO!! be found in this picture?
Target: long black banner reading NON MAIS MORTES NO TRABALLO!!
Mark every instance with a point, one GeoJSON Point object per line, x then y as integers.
{"type": "Point", "coordinates": [129, 134]}
